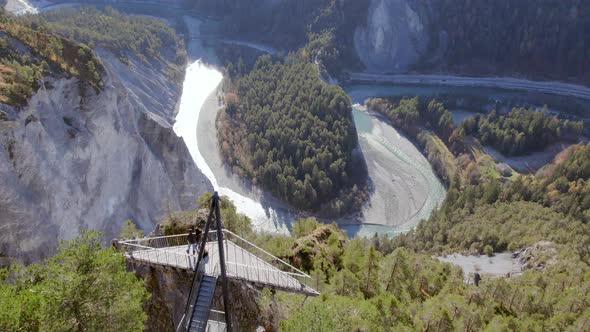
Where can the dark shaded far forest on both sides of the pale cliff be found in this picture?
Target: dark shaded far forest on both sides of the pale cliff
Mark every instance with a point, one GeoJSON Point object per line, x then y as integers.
{"type": "Point", "coordinates": [546, 43]}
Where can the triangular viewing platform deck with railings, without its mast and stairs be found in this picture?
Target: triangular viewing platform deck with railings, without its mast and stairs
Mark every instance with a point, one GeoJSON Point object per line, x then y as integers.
{"type": "Point", "coordinates": [244, 260]}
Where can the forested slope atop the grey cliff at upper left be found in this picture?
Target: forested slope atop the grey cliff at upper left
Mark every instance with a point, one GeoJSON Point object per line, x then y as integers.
{"type": "Point", "coordinates": [61, 41]}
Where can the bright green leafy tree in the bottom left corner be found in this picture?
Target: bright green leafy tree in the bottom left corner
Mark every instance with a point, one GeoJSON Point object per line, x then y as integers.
{"type": "Point", "coordinates": [84, 287]}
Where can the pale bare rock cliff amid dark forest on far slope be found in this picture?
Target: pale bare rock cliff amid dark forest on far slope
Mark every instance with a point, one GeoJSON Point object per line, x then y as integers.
{"type": "Point", "coordinates": [395, 36]}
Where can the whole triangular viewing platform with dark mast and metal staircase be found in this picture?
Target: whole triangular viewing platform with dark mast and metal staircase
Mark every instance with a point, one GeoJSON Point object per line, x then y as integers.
{"type": "Point", "coordinates": [222, 256]}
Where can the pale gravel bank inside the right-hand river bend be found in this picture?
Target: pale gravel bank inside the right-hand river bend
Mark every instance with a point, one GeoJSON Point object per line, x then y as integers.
{"type": "Point", "coordinates": [404, 188]}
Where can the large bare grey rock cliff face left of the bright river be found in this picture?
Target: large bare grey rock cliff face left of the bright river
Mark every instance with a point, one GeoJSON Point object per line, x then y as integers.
{"type": "Point", "coordinates": [76, 158]}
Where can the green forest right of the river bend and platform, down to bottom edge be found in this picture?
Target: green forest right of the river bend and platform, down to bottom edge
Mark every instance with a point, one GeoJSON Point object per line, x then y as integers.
{"type": "Point", "coordinates": [381, 284]}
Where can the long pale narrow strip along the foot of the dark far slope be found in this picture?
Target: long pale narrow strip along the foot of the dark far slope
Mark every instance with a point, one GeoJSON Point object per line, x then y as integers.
{"type": "Point", "coordinates": [557, 88]}
